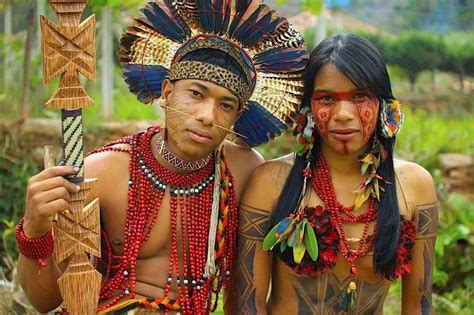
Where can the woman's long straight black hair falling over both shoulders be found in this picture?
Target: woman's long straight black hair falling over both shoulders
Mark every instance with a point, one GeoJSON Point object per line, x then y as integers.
{"type": "Point", "coordinates": [362, 63]}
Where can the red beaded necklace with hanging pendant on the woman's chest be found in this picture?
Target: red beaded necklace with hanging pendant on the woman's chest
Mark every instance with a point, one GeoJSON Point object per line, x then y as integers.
{"type": "Point", "coordinates": [324, 188]}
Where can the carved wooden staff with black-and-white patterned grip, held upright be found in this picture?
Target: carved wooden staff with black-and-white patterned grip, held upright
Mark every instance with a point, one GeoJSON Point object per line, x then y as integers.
{"type": "Point", "coordinates": [69, 48]}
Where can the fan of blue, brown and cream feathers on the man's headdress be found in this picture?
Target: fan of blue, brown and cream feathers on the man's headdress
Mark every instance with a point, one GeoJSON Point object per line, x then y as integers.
{"type": "Point", "coordinates": [270, 51]}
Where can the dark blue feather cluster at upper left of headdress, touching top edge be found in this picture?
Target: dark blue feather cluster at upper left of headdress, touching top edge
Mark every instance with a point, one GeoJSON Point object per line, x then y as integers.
{"type": "Point", "coordinates": [166, 20]}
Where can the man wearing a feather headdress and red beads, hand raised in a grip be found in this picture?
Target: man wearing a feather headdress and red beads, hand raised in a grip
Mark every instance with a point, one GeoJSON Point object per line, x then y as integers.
{"type": "Point", "coordinates": [168, 196]}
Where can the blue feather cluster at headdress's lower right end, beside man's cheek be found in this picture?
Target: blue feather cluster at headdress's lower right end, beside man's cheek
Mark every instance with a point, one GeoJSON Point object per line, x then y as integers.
{"type": "Point", "coordinates": [258, 125]}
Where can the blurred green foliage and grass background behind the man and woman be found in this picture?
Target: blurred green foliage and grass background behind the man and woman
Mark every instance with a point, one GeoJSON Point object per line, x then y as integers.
{"type": "Point", "coordinates": [429, 48]}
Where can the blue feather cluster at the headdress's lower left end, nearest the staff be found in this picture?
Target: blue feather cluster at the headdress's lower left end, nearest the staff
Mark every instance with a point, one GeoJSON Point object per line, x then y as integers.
{"type": "Point", "coordinates": [145, 80]}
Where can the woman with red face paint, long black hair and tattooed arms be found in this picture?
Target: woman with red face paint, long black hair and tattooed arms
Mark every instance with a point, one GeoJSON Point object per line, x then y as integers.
{"type": "Point", "coordinates": [332, 226]}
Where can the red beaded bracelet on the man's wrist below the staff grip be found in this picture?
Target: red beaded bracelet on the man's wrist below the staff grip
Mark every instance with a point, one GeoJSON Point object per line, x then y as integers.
{"type": "Point", "coordinates": [37, 249]}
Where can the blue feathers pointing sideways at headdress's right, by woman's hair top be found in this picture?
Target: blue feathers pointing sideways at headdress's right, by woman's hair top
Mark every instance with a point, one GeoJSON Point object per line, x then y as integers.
{"type": "Point", "coordinates": [281, 60]}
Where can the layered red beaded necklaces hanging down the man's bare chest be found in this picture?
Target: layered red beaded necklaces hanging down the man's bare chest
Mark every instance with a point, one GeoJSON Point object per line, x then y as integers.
{"type": "Point", "coordinates": [191, 198]}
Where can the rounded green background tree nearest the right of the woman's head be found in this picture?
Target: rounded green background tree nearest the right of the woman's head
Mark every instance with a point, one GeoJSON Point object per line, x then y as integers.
{"type": "Point", "coordinates": [415, 52]}
